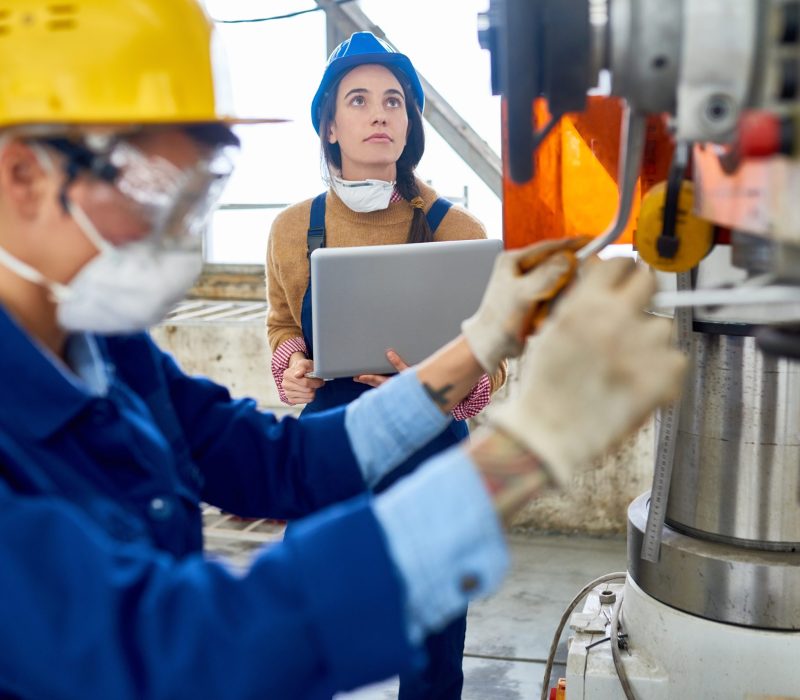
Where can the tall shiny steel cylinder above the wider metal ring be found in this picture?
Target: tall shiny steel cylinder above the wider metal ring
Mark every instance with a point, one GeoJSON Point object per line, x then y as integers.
{"type": "Point", "coordinates": [736, 476]}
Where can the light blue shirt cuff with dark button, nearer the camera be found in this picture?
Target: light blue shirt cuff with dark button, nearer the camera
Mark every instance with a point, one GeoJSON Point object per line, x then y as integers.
{"type": "Point", "coordinates": [445, 539]}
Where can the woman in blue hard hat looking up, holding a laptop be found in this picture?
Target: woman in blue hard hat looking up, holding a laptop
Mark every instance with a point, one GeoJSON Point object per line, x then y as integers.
{"type": "Point", "coordinates": [368, 113]}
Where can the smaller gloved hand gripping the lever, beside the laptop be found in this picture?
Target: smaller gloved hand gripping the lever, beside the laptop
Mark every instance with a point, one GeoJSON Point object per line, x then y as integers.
{"type": "Point", "coordinates": [498, 328]}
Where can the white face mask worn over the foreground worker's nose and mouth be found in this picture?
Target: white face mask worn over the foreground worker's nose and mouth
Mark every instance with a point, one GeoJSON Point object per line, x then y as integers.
{"type": "Point", "coordinates": [123, 289]}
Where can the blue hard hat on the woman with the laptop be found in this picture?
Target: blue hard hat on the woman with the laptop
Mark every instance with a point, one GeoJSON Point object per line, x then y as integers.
{"type": "Point", "coordinates": [361, 48]}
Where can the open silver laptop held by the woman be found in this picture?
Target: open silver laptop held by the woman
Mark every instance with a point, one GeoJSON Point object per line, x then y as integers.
{"type": "Point", "coordinates": [409, 297]}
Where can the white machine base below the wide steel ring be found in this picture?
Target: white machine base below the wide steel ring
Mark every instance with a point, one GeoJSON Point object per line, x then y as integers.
{"type": "Point", "coordinates": [672, 655]}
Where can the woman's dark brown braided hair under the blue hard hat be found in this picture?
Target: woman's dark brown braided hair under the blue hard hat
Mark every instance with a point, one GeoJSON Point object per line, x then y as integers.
{"type": "Point", "coordinates": [419, 231]}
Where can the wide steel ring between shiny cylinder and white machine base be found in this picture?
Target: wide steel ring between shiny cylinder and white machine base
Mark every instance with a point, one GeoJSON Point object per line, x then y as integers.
{"type": "Point", "coordinates": [717, 581]}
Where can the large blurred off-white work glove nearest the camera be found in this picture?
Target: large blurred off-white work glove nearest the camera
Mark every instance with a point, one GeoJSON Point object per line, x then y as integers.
{"type": "Point", "coordinates": [595, 371]}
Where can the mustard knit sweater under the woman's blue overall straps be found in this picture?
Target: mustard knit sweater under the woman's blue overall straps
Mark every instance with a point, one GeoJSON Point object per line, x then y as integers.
{"type": "Point", "coordinates": [287, 265]}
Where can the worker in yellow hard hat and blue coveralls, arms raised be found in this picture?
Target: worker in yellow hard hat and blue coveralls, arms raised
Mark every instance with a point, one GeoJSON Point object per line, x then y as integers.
{"type": "Point", "coordinates": [112, 147]}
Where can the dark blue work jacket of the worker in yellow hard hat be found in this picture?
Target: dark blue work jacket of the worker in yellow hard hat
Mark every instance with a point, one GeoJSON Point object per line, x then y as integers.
{"type": "Point", "coordinates": [104, 592]}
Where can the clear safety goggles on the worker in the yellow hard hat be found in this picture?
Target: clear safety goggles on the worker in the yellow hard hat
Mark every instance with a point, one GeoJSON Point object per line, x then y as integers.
{"type": "Point", "coordinates": [175, 203]}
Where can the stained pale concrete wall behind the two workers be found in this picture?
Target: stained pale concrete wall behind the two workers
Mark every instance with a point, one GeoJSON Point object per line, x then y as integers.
{"type": "Point", "coordinates": [236, 355]}
